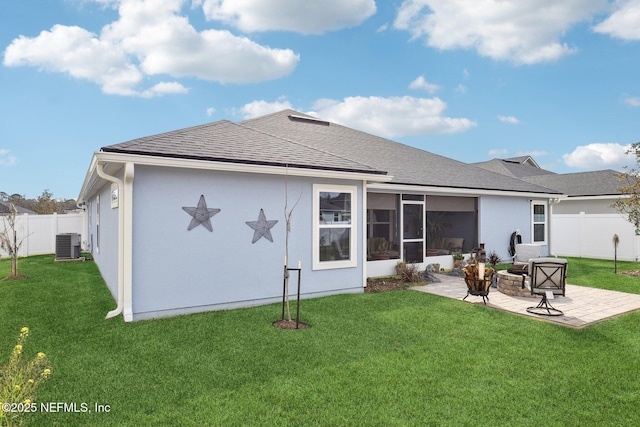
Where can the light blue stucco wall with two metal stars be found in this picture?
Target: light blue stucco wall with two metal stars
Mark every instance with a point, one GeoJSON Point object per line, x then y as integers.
{"type": "Point", "coordinates": [177, 271]}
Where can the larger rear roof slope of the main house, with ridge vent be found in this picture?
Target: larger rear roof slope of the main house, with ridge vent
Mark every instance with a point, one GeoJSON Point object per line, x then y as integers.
{"type": "Point", "coordinates": [407, 165]}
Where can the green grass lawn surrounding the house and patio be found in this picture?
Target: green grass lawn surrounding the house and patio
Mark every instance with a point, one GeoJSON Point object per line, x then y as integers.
{"type": "Point", "coordinates": [396, 358]}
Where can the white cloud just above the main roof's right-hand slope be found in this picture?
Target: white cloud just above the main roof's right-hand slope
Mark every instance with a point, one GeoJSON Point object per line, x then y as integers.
{"type": "Point", "coordinates": [392, 117]}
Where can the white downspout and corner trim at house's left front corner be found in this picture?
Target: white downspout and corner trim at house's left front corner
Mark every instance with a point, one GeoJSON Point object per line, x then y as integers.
{"type": "Point", "coordinates": [125, 216]}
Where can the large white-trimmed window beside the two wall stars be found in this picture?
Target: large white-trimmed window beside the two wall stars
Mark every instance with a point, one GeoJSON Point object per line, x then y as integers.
{"type": "Point", "coordinates": [335, 226]}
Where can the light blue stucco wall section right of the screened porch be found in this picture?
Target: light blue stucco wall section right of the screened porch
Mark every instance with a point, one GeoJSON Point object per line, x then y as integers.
{"type": "Point", "coordinates": [501, 216]}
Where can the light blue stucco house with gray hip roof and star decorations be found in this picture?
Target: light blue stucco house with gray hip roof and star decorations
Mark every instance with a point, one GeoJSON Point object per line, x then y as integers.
{"type": "Point", "coordinates": [194, 220]}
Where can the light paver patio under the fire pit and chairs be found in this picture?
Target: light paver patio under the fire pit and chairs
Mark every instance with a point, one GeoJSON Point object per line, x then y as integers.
{"type": "Point", "coordinates": [581, 306]}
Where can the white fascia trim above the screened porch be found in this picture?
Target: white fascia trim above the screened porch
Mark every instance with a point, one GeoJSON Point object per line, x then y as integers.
{"type": "Point", "coordinates": [398, 188]}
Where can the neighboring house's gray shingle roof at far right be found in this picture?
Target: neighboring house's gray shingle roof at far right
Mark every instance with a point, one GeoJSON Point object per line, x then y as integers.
{"type": "Point", "coordinates": [595, 183]}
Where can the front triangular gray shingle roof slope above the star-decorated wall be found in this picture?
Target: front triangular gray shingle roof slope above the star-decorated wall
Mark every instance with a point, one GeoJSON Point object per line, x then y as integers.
{"type": "Point", "coordinates": [225, 141]}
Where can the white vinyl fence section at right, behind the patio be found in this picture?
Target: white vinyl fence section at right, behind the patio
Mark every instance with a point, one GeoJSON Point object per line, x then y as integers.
{"type": "Point", "coordinates": [591, 236]}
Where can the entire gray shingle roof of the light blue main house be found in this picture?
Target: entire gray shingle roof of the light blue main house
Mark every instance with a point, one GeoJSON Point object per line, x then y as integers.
{"type": "Point", "coordinates": [298, 140]}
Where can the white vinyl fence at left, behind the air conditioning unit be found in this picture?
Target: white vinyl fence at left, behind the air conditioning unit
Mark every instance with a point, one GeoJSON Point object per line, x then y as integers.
{"type": "Point", "coordinates": [41, 231]}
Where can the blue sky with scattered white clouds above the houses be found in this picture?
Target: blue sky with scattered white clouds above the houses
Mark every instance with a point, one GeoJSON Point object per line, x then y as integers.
{"type": "Point", "coordinates": [468, 79]}
